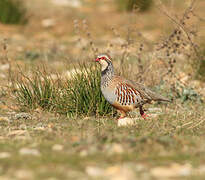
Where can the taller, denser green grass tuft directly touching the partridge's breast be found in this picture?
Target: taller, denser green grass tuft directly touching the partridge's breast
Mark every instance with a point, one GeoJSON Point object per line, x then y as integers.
{"type": "Point", "coordinates": [82, 95]}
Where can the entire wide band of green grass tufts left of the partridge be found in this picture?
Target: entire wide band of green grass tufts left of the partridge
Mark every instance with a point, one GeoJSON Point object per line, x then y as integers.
{"type": "Point", "coordinates": [79, 95]}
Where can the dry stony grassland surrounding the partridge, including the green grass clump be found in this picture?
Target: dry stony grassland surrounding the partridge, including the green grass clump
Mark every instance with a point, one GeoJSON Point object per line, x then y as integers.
{"type": "Point", "coordinates": [54, 122]}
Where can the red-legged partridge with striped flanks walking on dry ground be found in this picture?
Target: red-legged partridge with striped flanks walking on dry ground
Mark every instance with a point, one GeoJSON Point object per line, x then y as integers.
{"type": "Point", "coordinates": [123, 94]}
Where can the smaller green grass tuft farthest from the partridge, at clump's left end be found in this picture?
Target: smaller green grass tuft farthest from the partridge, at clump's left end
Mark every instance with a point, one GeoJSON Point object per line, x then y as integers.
{"type": "Point", "coordinates": [39, 91]}
